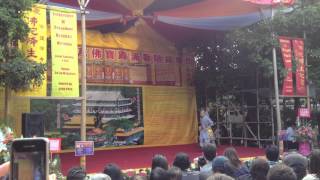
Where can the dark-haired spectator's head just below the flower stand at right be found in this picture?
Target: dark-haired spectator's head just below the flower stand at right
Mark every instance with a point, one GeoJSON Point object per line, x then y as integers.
{"type": "Point", "coordinates": [298, 163]}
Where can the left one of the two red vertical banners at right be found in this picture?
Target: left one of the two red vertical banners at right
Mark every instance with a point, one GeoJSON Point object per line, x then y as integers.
{"type": "Point", "coordinates": [285, 45]}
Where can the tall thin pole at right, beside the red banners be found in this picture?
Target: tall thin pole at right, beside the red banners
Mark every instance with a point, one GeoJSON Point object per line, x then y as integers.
{"type": "Point", "coordinates": [276, 87]}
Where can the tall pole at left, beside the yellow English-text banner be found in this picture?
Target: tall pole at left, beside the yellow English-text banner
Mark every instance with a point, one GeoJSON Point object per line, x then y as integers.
{"type": "Point", "coordinates": [83, 4]}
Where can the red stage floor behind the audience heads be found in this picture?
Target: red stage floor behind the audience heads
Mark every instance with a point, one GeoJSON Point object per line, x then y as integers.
{"type": "Point", "coordinates": [135, 158]}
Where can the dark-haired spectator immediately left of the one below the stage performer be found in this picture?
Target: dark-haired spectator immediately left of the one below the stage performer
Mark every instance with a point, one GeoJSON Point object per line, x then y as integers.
{"type": "Point", "coordinates": [182, 161]}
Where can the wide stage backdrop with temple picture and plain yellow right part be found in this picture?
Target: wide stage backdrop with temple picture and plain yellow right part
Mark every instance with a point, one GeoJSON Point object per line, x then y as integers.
{"type": "Point", "coordinates": [147, 115]}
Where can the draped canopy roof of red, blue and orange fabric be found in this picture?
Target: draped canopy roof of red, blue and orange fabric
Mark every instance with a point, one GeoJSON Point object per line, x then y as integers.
{"type": "Point", "coordinates": [175, 19]}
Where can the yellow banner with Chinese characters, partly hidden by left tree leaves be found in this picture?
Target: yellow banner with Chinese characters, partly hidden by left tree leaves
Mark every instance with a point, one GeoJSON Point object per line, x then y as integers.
{"type": "Point", "coordinates": [35, 46]}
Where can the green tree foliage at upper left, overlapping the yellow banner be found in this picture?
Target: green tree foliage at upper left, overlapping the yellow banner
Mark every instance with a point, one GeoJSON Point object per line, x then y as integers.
{"type": "Point", "coordinates": [16, 71]}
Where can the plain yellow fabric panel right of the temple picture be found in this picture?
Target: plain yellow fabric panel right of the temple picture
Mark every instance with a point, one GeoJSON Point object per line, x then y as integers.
{"type": "Point", "coordinates": [169, 115]}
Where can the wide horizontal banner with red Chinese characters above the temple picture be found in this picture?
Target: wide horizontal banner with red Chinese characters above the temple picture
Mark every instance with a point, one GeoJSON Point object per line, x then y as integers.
{"type": "Point", "coordinates": [119, 66]}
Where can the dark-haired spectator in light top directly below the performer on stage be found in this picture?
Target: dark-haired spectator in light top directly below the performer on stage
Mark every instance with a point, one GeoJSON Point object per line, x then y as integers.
{"type": "Point", "coordinates": [209, 153]}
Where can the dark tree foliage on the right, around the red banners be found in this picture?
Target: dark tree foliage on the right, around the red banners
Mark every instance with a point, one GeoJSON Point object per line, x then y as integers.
{"type": "Point", "coordinates": [224, 60]}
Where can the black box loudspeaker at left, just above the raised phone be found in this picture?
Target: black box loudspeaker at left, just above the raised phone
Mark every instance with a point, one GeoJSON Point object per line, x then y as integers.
{"type": "Point", "coordinates": [32, 124]}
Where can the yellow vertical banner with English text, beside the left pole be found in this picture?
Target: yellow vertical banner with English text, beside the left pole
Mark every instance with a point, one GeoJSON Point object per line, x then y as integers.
{"type": "Point", "coordinates": [65, 75]}
